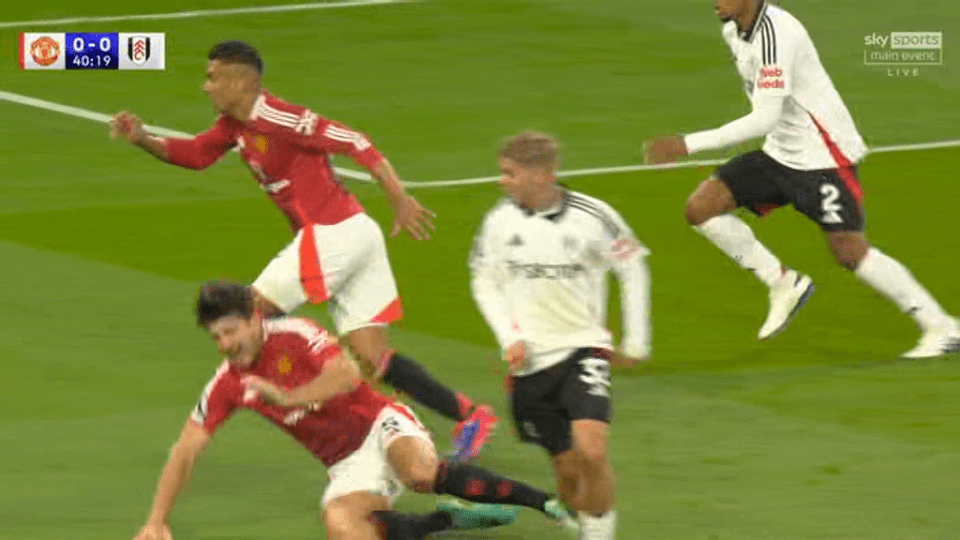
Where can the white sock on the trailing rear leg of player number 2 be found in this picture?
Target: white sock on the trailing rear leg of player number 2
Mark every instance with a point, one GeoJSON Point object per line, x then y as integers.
{"type": "Point", "coordinates": [893, 280]}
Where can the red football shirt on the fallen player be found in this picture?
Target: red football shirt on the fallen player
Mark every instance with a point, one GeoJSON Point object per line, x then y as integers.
{"type": "Point", "coordinates": [294, 352]}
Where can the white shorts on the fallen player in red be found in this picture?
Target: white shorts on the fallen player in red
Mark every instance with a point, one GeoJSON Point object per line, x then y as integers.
{"type": "Point", "coordinates": [367, 468]}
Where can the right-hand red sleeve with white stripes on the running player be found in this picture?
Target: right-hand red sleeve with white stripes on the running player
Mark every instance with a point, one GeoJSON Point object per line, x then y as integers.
{"type": "Point", "coordinates": [316, 134]}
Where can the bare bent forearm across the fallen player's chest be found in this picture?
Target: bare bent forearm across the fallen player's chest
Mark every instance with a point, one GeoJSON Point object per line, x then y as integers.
{"type": "Point", "coordinates": [340, 375]}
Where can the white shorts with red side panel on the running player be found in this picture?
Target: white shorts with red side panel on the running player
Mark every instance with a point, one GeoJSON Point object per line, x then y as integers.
{"type": "Point", "coordinates": [345, 265]}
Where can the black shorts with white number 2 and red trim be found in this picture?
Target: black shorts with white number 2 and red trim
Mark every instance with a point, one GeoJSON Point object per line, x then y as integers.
{"type": "Point", "coordinates": [832, 198]}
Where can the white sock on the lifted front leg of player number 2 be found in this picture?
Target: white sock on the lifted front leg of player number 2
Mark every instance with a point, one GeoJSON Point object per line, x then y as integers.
{"type": "Point", "coordinates": [736, 239]}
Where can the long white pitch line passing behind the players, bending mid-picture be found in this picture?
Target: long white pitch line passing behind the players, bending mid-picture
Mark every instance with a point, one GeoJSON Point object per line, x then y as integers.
{"type": "Point", "coordinates": [365, 177]}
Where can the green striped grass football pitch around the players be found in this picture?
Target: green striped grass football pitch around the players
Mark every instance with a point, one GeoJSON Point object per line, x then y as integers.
{"type": "Point", "coordinates": [821, 433]}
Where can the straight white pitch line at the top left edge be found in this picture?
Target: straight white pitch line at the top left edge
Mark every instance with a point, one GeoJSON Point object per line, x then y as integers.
{"type": "Point", "coordinates": [201, 13]}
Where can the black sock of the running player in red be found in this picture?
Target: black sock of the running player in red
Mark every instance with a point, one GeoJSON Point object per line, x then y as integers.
{"type": "Point", "coordinates": [412, 379]}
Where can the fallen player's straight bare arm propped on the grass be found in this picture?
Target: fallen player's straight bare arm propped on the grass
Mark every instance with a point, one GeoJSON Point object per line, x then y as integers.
{"type": "Point", "coordinates": [178, 469]}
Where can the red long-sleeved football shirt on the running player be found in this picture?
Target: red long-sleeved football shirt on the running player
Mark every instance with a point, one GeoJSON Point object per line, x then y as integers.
{"type": "Point", "coordinates": [287, 148]}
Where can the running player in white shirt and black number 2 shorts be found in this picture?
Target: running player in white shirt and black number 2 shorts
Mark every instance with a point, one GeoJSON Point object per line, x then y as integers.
{"type": "Point", "coordinates": [809, 160]}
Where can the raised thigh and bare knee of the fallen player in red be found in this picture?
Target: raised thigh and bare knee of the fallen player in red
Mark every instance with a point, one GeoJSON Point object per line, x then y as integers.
{"type": "Point", "coordinates": [407, 447]}
